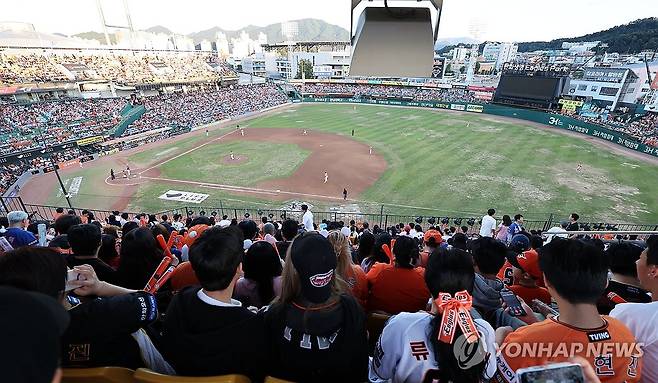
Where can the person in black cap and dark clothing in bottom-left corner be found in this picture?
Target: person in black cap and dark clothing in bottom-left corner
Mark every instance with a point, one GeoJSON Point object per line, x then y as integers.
{"type": "Point", "coordinates": [31, 325]}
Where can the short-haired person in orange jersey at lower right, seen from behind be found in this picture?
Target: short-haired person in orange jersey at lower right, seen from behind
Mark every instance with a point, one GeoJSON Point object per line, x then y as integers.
{"type": "Point", "coordinates": [576, 275]}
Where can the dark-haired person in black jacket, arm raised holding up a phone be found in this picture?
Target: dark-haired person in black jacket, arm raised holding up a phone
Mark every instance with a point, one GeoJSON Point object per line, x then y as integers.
{"type": "Point", "coordinates": [104, 331]}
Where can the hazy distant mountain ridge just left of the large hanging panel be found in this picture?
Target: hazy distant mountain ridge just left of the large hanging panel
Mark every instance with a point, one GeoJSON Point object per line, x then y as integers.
{"type": "Point", "coordinates": [309, 30]}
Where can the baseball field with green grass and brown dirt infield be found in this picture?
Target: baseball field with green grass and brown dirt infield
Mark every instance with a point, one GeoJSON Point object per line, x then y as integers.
{"type": "Point", "coordinates": [410, 161]}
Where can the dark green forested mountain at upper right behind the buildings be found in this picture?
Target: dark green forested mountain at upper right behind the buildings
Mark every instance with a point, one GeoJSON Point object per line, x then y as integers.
{"type": "Point", "coordinates": [633, 37]}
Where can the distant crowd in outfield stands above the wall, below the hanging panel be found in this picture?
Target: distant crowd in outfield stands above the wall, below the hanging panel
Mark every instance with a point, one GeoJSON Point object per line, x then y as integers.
{"type": "Point", "coordinates": [388, 91]}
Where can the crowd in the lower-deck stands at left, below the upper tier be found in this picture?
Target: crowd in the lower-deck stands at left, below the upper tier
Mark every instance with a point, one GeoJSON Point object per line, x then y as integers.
{"type": "Point", "coordinates": [38, 125]}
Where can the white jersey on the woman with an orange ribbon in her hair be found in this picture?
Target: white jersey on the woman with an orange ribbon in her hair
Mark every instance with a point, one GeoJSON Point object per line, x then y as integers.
{"type": "Point", "coordinates": [404, 351]}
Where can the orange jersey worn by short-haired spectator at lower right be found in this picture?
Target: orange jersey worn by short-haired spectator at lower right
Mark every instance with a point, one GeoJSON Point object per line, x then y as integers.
{"type": "Point", "coordinates": [611, 349]}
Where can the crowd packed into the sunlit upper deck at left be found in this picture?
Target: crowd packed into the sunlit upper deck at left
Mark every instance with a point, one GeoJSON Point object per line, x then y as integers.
{"type": "Point", "coordinates": [134, 67]}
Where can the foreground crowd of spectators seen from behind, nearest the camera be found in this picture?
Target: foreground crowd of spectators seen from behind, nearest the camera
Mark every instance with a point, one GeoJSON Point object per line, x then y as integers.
{"type": "Point", "coordinates": [275, 299]}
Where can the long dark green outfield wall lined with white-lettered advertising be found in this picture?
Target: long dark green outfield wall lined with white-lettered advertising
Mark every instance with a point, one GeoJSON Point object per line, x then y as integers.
{"type": "Point", "coordinates": [552, 120]}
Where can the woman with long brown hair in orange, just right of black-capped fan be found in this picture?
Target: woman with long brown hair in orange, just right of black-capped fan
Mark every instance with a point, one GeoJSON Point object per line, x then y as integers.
{"type": "Point", "coordinates": [347, 271]}
